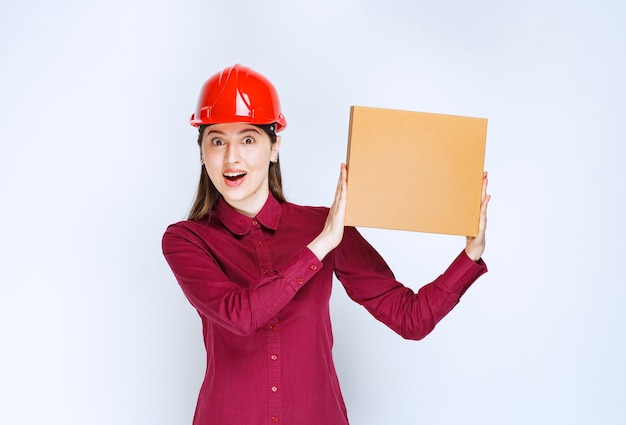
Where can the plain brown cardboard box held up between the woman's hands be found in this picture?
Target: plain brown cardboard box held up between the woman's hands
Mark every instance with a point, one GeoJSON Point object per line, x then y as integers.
{"type": "Point", "coordinates": [415, 171]}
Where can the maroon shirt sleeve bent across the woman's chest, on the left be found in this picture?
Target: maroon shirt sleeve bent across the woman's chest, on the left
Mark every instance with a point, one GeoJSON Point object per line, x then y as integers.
{"type": "Point", "coordinates": [242, 309]}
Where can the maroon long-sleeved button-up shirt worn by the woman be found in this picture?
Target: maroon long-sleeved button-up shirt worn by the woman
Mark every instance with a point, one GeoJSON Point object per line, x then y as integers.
{"type": "Point", "coordinates": [263, 298]}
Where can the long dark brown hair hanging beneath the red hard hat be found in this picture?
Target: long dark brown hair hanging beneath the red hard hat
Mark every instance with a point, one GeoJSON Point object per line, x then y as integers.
{"type": "Point", "coordinates": [207, 195]}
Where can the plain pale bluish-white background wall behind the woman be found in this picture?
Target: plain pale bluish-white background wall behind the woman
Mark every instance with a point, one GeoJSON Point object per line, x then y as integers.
{"type": "Point", "coordinates": [97, 157]}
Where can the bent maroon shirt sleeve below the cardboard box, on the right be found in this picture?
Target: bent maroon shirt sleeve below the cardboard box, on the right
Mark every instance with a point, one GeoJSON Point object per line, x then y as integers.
{"type": "Point", "coordinates": [369, 281]}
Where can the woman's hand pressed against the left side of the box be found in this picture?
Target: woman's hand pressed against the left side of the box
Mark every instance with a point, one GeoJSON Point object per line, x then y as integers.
{"type": "Point", "coordinates": [332, 233]}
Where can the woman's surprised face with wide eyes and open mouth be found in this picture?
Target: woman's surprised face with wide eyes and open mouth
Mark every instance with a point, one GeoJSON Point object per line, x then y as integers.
{"type": "Point", "coordinates": [236, 157]}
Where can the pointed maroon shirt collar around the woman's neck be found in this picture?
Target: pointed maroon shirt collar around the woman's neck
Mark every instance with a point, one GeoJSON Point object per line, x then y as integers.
{"type": "Point", "coordinates": [239, 224]}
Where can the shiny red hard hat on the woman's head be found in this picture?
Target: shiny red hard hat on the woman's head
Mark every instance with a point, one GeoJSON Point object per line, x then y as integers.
{"type": "Point", "coordinates": [238, 94]}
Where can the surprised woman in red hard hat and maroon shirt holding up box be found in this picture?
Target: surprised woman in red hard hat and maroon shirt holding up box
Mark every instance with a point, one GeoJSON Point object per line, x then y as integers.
{"type": "Point", "coordinates": [259, 269]}
